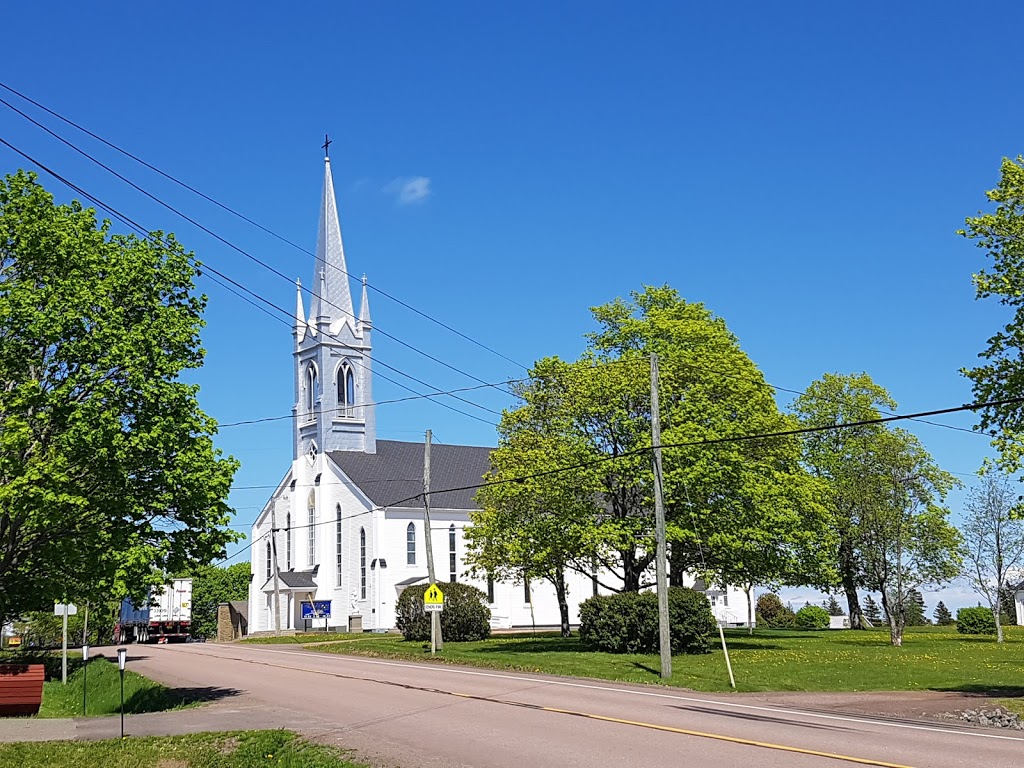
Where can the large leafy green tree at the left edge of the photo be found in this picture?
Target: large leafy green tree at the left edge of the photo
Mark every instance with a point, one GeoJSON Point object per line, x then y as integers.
{"type": "Point", "coordinates": [109, 478]}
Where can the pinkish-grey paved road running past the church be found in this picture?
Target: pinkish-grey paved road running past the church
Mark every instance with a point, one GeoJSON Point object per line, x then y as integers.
{"type": "Point", "coordinates": [414, 715]}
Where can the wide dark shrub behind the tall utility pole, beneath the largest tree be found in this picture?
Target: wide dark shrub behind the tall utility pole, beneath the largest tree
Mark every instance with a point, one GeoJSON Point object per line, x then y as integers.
{"type": "Point", "coordinates": [627, 623]}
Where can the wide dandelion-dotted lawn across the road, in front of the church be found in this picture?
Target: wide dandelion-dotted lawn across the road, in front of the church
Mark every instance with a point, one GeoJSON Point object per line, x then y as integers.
{"type": "Point", "coordinates": [931, 658]}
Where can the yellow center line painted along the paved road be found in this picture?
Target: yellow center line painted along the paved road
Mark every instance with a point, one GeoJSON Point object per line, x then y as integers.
{"type": "Point", "coordinates": [589, 716]}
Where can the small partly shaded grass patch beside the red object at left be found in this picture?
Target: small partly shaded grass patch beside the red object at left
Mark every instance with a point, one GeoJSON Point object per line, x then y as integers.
{"type": "Point", "coordinates": [142, 695]}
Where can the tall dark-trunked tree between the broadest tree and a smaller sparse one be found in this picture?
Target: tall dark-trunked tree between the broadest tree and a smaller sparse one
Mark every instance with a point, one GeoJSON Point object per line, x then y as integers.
{"type": "Point", "coordinates": [838, 458]}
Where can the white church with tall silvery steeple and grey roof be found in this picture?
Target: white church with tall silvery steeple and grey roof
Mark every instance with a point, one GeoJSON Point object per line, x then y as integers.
{"type": "Point", "coordinates": [349, 515]}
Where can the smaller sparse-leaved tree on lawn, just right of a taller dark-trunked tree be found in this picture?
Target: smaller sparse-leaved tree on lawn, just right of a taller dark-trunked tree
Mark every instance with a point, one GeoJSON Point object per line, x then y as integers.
{"type": "Point", "coordinates": [907, 539]}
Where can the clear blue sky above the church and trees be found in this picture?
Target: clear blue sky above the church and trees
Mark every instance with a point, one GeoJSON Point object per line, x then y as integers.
{"type": "Point", "coordinates": [801, 168]}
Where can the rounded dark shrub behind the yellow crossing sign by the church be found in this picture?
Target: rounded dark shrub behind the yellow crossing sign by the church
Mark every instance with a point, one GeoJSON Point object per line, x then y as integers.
{"type": "Point", "coordinates": [466, 616]}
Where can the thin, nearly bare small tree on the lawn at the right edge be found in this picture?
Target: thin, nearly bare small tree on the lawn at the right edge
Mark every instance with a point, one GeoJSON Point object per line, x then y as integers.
{"type": "Point", "coordinates": [994, 540]}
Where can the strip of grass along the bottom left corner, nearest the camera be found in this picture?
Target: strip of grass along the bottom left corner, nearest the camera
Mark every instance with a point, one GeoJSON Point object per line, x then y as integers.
{"type": "Point", "coordinates": [242, 750]}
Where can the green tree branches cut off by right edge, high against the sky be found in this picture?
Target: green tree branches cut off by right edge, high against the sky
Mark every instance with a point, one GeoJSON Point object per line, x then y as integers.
{"type": "Point", "coordinates": [1001, 235]}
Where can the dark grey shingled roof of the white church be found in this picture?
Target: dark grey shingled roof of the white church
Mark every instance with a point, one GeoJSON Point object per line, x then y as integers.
{"type": "Point", "coordinates": [395, 474]}
